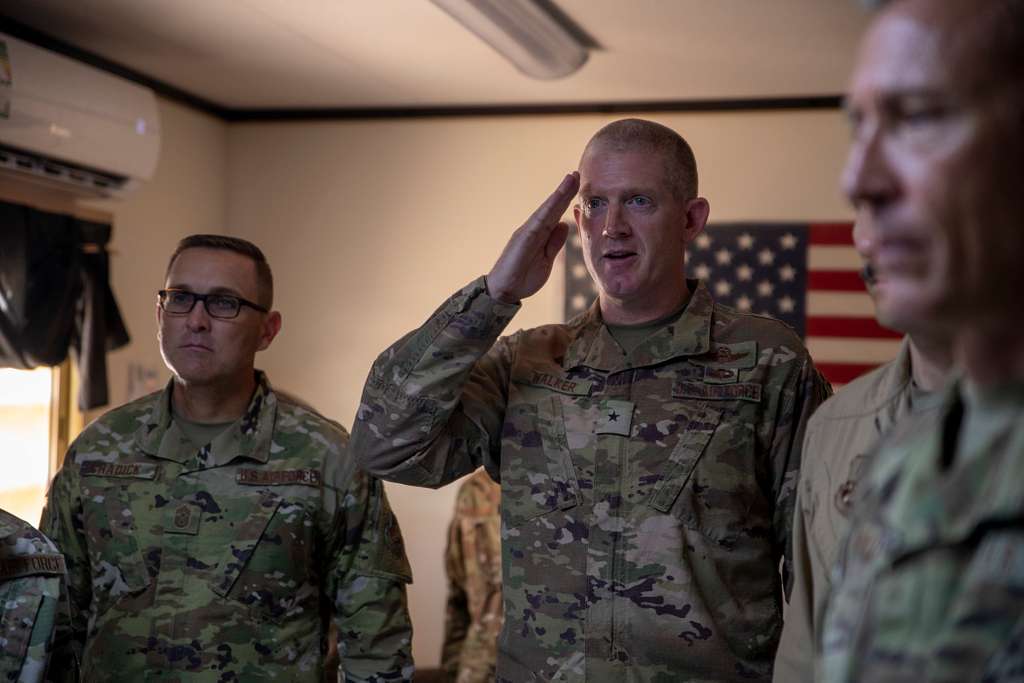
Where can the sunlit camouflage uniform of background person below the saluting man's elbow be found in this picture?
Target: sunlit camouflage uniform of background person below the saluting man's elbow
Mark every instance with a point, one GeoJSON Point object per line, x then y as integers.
{"type": "Point", "coordinates": [474, 562]}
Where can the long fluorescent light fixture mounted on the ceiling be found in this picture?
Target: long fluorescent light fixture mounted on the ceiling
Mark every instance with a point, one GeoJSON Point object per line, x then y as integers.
{"type": "Point", "coordinates": [525, 32]}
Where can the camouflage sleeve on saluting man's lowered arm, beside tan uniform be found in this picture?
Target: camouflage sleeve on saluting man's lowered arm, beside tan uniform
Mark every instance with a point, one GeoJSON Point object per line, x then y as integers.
{"type": "Point", "coordinates": [805, 391]}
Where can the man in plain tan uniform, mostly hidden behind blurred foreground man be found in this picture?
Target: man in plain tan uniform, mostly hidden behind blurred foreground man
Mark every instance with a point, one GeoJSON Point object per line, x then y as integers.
{"type": "Point", "coordinates": [841, 437]}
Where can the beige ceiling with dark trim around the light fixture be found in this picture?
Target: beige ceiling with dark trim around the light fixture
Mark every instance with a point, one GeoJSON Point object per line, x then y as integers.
{"type": "Point", "coordinates": [288, 55]}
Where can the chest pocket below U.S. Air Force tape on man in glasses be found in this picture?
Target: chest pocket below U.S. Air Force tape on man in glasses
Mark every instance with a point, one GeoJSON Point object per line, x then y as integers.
{"type": "Point", "coordinates": [267, 564]}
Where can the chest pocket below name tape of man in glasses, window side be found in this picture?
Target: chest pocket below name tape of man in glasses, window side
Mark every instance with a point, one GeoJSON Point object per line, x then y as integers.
{"type": "Point", "coordinates": [108, 494]}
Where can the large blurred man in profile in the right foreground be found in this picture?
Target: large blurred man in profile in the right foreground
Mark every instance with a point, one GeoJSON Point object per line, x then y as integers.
{"type": "Point", "coordinates": [930, 583]}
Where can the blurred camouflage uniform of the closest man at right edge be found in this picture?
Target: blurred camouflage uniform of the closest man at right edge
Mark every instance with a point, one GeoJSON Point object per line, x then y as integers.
{"type": "Point", "coordinates": [930, 582]}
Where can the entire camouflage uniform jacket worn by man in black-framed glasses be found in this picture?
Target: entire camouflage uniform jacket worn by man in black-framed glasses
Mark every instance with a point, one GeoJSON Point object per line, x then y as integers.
{"type": "Point", "coordinates": [225, 564]}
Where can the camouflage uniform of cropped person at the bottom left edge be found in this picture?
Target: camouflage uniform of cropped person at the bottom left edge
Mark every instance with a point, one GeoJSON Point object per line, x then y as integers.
{"type": "Point", "coordinates": [33, 606]}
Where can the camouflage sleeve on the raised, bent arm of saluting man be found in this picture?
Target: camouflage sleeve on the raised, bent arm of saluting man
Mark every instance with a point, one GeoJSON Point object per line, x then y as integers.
{"type": "Point", "coordinates": [434, 405]}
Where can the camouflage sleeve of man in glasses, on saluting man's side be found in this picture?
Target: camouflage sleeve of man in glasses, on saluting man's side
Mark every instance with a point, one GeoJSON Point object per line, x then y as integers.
{"type": "Point", "coordinates": [367, 580]}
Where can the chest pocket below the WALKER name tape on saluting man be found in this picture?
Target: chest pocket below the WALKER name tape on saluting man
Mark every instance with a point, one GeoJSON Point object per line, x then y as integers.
{"type": "Point", "coordinates": [538, 476]}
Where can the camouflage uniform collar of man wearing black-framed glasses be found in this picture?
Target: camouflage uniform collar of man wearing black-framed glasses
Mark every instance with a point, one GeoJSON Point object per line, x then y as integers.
{"type": "Point", "coordinates": [248, 438]}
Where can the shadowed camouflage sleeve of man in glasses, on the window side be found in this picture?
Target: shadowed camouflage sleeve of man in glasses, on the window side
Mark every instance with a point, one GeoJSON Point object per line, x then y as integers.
{"type": "Point", "coordinates": [62, 523]}
